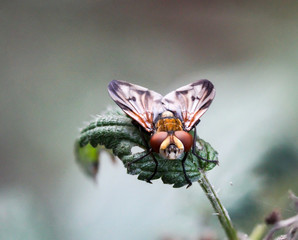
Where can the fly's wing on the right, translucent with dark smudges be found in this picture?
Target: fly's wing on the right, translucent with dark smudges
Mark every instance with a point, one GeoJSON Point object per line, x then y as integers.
{"type": "Point", "coordinates": [190, 102]}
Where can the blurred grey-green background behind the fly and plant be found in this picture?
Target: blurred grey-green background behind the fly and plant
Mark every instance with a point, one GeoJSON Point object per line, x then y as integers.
{"type": "Point", "coordinates": [57, 58]}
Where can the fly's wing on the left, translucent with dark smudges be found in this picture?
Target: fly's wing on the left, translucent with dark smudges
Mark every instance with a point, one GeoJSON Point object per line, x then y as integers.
{"type": "Point", "coordinates": [137, 102]}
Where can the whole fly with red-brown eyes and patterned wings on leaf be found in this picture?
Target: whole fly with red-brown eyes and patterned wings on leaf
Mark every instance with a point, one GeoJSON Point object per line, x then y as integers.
{"type": "Point", "coordinates": [168, 119]}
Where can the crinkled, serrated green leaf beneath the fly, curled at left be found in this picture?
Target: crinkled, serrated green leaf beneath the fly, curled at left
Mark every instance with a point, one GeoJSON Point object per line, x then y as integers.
{"type": "Point", "coordinates": [114, 131]}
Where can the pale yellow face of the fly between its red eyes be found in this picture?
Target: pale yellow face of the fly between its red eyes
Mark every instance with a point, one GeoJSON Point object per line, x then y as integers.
{"type": "Point", "coordinates": [171, 148]}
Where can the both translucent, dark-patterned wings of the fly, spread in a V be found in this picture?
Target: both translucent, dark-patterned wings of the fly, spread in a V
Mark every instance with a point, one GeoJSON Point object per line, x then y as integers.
{"type": "Point", "coordinates": [189, 102]}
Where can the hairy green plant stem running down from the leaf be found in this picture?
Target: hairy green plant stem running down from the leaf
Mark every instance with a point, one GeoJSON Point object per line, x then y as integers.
{"type": "Point", "coordinates": [221, 212]}
